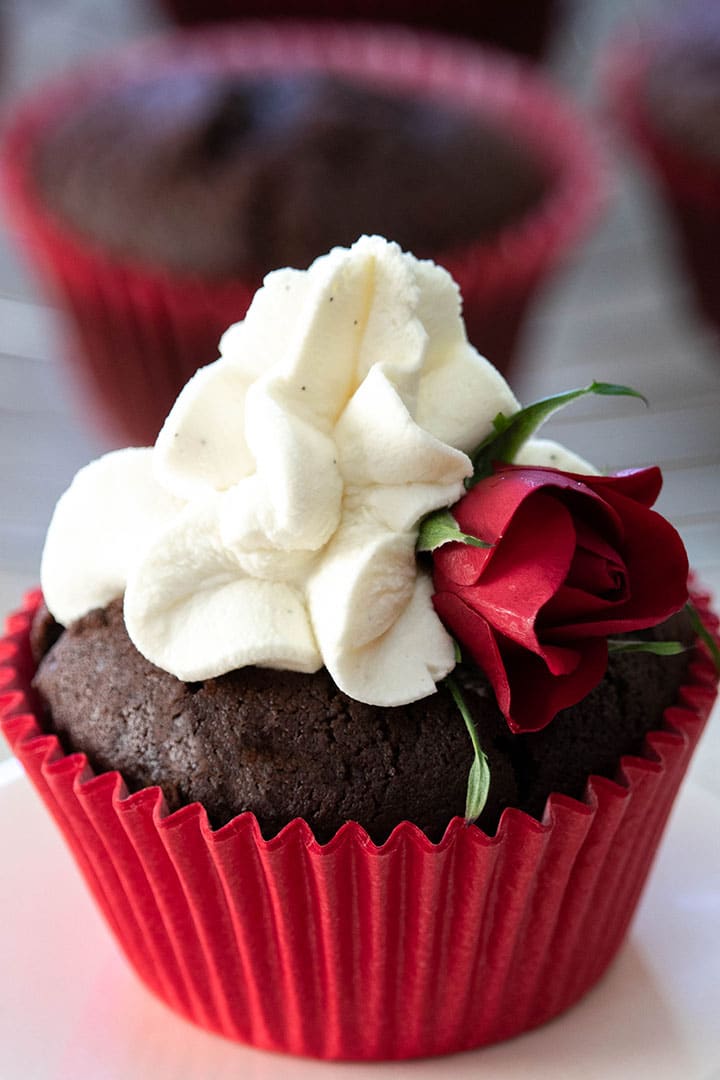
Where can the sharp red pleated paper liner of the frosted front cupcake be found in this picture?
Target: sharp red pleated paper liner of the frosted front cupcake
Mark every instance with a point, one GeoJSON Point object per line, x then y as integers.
{"type": "Point", "coordinates": [352, 951]}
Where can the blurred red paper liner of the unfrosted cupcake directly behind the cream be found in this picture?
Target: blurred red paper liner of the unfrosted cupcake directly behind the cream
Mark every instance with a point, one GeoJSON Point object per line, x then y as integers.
{"type": "Point", "coordinates": [142, 331]}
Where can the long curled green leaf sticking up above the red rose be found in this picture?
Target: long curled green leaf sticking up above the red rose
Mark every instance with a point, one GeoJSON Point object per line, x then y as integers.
{"type": "Point", "coordinates": [510, 434]}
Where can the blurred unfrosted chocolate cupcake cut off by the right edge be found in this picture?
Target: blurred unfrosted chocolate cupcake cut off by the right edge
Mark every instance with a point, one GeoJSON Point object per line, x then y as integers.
{"type": "Point", "coordinates": [665, 93]}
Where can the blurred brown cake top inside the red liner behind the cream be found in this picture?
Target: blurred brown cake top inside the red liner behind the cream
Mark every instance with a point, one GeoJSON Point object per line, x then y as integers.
{"type": "Point", "coordinates": [222, 175]}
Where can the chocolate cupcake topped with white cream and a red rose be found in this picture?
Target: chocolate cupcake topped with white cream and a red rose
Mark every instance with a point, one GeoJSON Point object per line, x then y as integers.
{"type": "Point", "coordinates": [350, 774]}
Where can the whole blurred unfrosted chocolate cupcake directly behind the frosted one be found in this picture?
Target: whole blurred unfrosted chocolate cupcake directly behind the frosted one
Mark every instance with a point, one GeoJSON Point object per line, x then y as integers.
{"type": "Point", "coordinates": [157, 190]}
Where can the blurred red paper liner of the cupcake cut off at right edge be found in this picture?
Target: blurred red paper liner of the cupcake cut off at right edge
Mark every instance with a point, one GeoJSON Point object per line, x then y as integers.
{"type": "Point", "coordinates": [691, 185]}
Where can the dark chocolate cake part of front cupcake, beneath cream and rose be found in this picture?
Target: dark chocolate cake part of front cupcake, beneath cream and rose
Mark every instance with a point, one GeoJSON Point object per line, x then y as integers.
{"type": "Point", "coordinates": [284, 745]}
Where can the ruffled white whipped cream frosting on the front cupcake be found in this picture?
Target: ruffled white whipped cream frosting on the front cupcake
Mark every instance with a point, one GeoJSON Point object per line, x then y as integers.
{"type": "Point", "coordinates": [275, 521]}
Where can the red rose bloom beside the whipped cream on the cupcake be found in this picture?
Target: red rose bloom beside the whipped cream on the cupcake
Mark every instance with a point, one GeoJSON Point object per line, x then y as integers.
{"type": "Point", "coordinates": [575, 560]}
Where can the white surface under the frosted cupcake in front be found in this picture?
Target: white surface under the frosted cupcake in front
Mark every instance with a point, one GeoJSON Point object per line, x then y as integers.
{"type": "Point", "coordinates": [72, 1008]}
